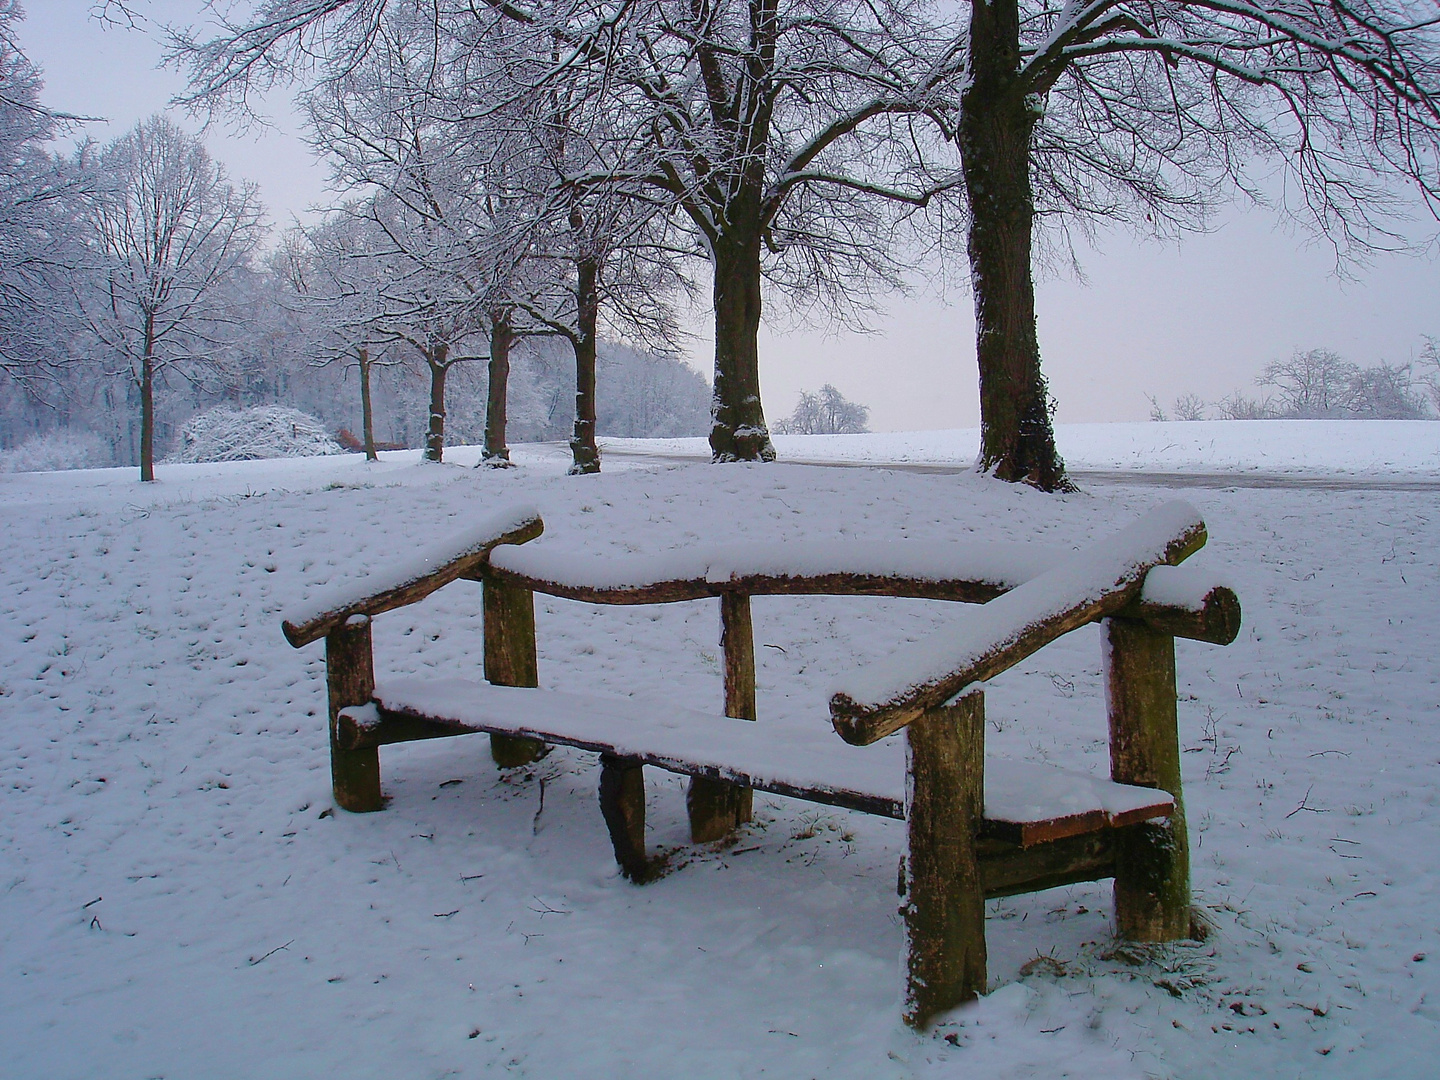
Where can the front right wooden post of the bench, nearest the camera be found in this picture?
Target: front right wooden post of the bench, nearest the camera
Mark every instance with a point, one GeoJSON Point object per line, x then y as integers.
{"type": "Point", "coordinates": [944, 905]}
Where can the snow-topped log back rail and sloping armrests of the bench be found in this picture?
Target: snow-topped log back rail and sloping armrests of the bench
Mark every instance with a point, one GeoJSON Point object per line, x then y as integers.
{"type": "Point", "coordinates": [1019, 598]}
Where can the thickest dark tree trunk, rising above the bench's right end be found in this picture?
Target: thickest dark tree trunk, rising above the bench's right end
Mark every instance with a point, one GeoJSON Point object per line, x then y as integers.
{"type": "Point", "coordinates": [997, 123]}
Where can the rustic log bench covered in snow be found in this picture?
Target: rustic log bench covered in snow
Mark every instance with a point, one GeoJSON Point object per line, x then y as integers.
{"type": "Point", "coordinates": [976, 829]}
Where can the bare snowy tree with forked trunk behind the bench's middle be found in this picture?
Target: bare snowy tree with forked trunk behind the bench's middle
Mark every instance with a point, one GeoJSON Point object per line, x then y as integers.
{"type": "Point", "coordinates": [784, 133]}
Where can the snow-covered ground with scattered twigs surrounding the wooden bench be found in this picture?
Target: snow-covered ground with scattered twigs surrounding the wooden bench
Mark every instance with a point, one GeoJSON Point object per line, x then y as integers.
{"type": "Point", "coordinates": [178, 898]}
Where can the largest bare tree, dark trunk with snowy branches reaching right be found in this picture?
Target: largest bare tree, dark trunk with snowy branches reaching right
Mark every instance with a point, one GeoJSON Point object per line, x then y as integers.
{"type": "Point", "coordinates": [1157, 113]}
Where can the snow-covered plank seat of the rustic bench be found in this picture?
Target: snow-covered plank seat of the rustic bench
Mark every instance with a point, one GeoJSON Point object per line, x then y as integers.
{"type": "Point", "coordinates": [1025, 803]}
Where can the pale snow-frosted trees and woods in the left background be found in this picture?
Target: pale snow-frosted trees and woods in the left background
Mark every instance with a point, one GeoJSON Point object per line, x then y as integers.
{"type": "Point", "coordinates": [135, 287]}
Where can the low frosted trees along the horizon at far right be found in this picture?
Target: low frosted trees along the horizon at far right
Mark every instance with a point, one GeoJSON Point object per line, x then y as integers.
{"type": "Point", "coordinates": [1320, 385]}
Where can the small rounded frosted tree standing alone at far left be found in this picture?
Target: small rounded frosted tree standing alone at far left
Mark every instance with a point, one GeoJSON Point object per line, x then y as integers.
{"type": "Point", "coordinates": [169, 235]}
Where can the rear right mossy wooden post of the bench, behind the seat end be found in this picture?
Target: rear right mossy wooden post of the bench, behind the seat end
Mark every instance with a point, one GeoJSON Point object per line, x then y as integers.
{"type": "Point", "coordinates": [1153, 860]}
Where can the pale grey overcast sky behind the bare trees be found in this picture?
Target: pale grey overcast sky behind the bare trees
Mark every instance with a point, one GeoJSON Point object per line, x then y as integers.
{"type": "Point", "coordinates": [1203, 318]}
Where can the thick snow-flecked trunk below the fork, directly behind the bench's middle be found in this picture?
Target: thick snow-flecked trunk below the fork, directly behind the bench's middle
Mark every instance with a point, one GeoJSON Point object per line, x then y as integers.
{"type": "Point", "coordinates": [738, 431]}
